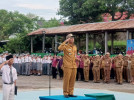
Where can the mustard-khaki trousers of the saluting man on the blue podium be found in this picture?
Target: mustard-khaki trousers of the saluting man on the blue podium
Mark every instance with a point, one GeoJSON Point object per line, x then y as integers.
{"type": "Point", "coordinates": [69, 80]}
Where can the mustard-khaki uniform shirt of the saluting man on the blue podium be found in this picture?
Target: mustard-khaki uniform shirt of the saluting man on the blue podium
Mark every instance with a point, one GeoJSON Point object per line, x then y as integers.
{"type": "Point", "coordinates": [70, 52]}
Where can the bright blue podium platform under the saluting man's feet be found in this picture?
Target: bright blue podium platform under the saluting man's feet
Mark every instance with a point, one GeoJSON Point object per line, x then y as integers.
{"type": "Point", "coordinates": [61, 97]}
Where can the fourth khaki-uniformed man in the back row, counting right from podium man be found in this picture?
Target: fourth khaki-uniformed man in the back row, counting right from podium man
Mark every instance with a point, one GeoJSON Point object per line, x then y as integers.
{"type": "Point", "coordinates": [119, 68]}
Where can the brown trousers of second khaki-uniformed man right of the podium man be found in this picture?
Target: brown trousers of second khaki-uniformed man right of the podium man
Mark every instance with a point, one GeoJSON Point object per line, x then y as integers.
{"type": "Point", "coordinates": [96, 74]}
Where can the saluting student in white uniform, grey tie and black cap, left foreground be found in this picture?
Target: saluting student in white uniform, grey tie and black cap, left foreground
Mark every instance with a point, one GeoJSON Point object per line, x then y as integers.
{"type": "Point", "coordinates": [9, 77]}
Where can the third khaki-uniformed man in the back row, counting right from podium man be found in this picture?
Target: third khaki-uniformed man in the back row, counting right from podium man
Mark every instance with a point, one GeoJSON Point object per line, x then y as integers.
{"type": "Point", "coordinates": [107, 68]}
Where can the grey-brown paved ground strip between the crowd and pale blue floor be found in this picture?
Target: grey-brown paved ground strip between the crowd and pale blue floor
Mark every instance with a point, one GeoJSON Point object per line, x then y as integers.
{"type": "Point", "coordinates": [26, 83]}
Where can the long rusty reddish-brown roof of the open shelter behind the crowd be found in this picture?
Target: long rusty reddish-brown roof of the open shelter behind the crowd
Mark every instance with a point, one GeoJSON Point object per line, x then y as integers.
{"type": "Point", "coordinates": [89, 27]}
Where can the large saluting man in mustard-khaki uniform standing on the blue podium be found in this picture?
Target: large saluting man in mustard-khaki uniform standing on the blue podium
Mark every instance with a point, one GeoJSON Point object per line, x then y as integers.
{"type": "Point", "coordinates": [69, 65]}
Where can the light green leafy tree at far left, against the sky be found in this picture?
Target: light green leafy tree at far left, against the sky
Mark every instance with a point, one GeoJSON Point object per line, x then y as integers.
{"type": "Point", "coordinates": [14, 22]}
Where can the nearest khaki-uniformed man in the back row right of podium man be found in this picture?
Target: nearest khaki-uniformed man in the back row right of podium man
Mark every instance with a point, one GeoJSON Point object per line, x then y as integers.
{"type": "Point", "coordinates": [86, 68]}
